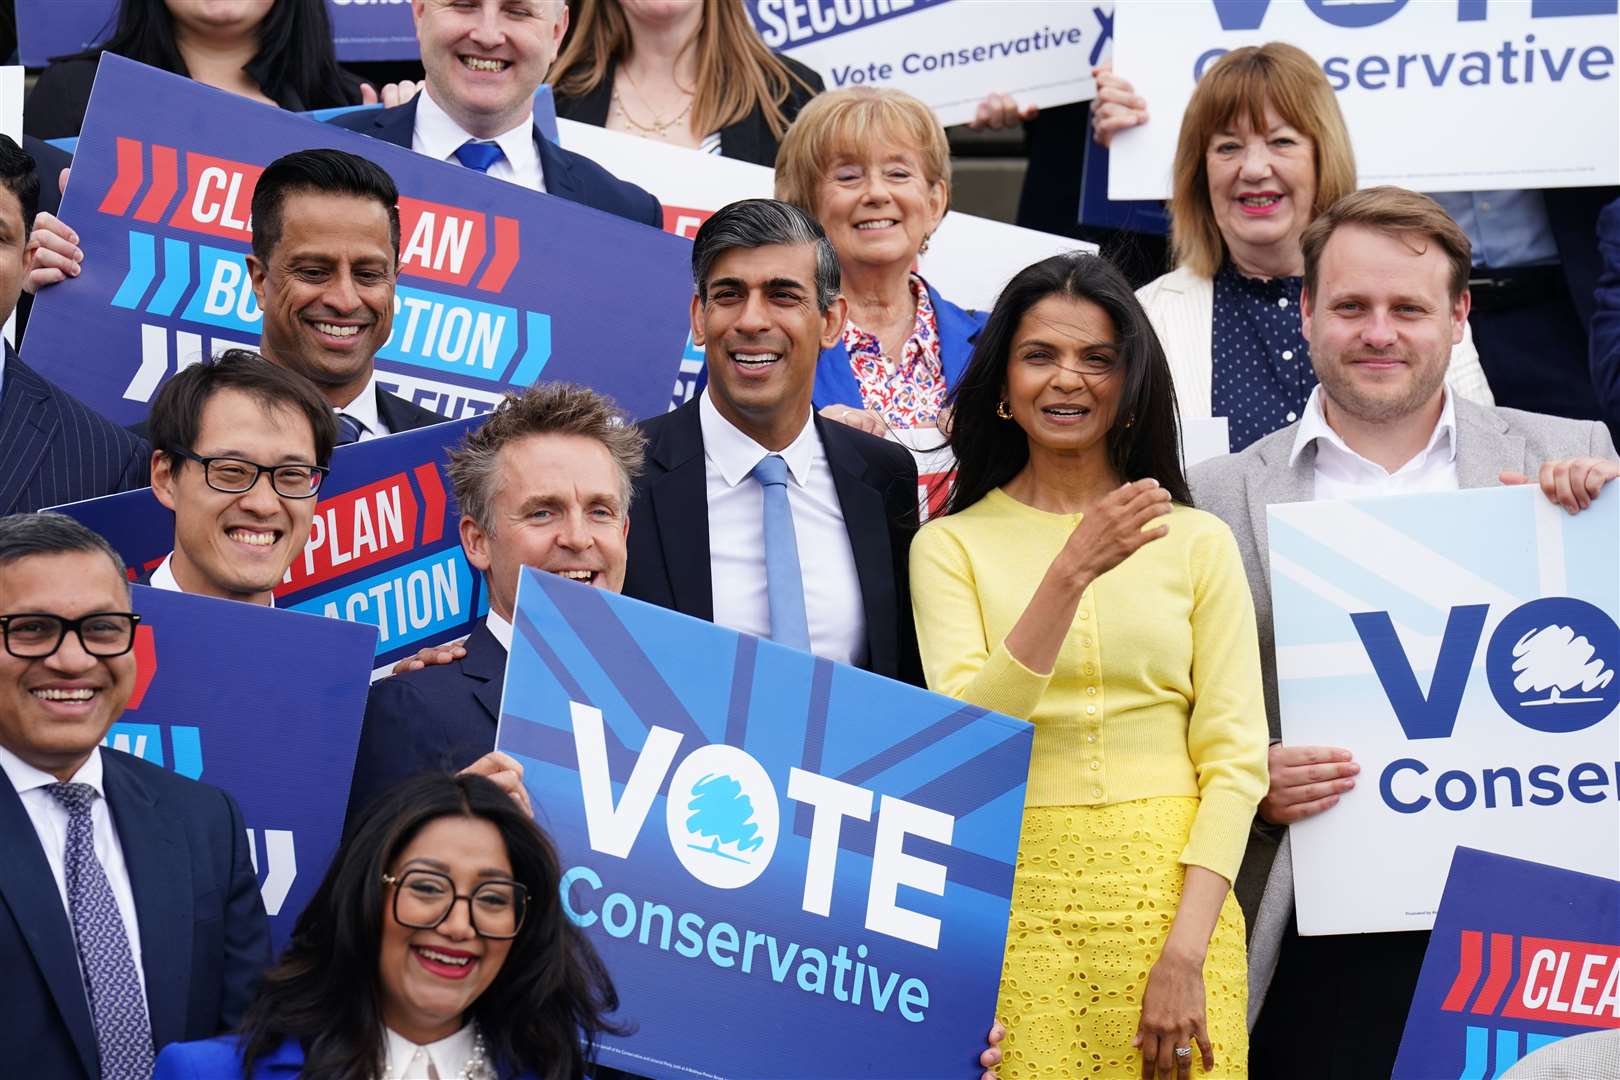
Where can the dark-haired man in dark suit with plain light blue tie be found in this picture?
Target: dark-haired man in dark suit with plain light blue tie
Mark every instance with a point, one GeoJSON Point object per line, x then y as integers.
{"type": "Point", "coordinates": [756, 512]}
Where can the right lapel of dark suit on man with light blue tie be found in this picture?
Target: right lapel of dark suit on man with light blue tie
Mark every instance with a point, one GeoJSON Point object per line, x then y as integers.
{"type": "Point", "coordinates": [868, 522]}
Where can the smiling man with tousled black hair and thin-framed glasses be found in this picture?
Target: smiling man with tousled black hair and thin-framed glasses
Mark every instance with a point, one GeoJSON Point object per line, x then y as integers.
{"type": "Point", "coordinates": [239, 453]}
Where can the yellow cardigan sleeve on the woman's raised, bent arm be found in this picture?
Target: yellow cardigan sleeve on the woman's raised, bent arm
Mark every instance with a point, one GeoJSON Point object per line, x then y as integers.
{"type": "Point", "coordinates": [957, 655]}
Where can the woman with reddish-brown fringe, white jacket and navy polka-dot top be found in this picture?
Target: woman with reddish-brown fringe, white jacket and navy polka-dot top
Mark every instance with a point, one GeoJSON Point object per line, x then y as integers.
{"type": "Point", "coordinates": [1263, 151]}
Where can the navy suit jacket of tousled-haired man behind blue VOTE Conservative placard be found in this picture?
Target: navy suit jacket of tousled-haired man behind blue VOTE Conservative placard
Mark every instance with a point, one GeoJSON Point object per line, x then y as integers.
{"type": "Point", "coordinates": [441, 716]}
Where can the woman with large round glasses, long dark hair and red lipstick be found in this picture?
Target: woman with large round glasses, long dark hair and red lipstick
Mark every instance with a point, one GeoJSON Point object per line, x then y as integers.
{"type": "Point", "coordinates": [435, 946]}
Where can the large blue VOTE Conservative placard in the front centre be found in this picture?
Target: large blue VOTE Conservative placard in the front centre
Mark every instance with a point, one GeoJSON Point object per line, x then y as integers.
{"type": "Point", "coordinates": [793, 869]}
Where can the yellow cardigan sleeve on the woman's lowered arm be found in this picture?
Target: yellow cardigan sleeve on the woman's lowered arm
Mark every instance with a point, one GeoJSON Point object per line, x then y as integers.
{"type": "Point", "coordinates": [1227, 733]}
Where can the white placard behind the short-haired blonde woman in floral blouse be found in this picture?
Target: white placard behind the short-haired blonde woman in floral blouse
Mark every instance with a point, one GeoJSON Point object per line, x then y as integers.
{"type": "Point", "coordinates": [970, 258]}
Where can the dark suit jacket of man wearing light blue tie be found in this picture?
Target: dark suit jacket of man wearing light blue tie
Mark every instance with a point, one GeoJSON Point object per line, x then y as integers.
{"type": "Point", "coordinates": [877, 491]}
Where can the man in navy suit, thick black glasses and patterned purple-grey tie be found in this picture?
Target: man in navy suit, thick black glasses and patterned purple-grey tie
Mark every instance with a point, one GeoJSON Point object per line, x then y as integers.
{"type": "Point", "coordinates": [130, 916]}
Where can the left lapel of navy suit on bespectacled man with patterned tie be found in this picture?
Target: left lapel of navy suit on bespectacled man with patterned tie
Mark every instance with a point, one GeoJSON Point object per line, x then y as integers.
{"type": "Point", "coordinates": [30, 890]}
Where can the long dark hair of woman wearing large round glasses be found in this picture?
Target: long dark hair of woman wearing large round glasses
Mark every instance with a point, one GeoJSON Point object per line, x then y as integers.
{"type": "Point", "coordinates": [545, 1010]}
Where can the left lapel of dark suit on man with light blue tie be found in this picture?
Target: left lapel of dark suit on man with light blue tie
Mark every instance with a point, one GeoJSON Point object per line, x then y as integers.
{"type": "Point", "coordinates": [680, 500]}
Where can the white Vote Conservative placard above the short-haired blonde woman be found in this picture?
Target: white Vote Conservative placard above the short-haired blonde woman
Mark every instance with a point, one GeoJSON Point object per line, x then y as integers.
{"type": "Point", "coordinates": [947, 53]}
